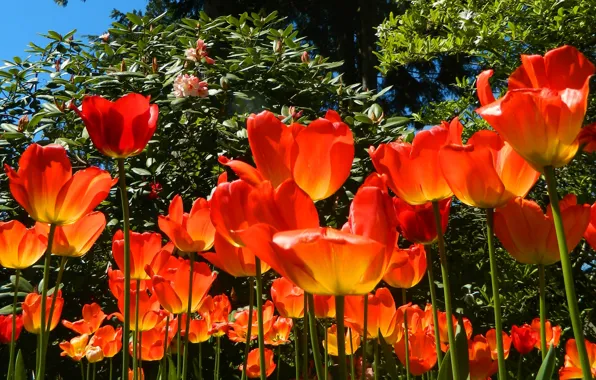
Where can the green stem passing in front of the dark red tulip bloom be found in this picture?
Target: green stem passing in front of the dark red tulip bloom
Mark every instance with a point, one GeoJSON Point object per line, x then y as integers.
{"type": "Point", "coordinates": [447, 291]}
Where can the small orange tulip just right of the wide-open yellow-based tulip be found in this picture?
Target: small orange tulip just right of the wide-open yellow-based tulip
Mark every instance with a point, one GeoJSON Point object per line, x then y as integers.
{"type": "Point", "coordinates": [407, 267]}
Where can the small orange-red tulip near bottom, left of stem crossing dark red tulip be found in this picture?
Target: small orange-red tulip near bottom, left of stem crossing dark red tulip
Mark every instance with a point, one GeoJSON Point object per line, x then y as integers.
{"type": "Point", "coordinates": [421, 350]}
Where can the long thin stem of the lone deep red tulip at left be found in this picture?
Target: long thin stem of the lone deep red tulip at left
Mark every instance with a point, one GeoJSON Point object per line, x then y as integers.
{"type": "Point", "coordinates": [126, 229]}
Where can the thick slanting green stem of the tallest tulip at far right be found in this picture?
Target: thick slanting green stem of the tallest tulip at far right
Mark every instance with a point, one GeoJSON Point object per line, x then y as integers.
{"type": "Point", "coordinates": [551, 182]}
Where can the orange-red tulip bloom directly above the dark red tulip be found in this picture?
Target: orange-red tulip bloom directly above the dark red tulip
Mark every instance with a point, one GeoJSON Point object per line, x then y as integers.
{"type": "Point", "coordinates": [412, 170]}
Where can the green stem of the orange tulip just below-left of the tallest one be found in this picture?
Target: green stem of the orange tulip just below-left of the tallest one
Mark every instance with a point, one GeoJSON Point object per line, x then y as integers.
{"type": "Point", "coordinates": [494, 275]}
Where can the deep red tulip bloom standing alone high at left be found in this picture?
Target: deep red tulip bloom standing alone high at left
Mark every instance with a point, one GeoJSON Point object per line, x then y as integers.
{"type": "Point", "coordinates": [122, 128]}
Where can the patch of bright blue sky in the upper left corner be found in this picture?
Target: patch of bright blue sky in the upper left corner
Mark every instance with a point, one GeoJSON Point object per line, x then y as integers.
{"type": "Point", "coordinates": [23, 20]}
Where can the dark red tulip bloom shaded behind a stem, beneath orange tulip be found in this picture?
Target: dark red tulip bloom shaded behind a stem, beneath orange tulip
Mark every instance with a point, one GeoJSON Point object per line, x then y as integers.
{"type": "Point", "coordinates": [417, 223]}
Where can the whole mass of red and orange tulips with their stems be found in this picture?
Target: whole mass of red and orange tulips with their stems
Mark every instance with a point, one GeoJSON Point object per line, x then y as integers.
{"type": "Point", "coordinates": [266, 219]}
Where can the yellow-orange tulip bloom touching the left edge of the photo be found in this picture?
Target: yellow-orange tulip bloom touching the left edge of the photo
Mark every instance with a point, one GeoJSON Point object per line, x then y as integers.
{"type": "Point", "coordinates": [21, 247]}
